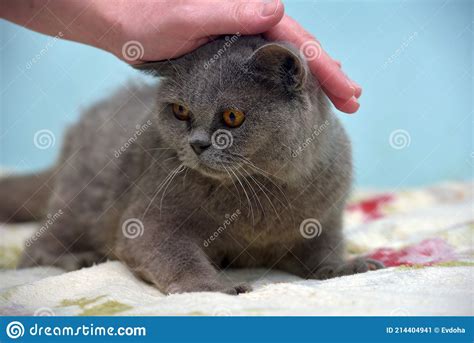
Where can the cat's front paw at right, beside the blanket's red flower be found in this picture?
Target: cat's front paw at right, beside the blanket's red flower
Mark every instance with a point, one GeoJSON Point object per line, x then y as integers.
{"type": "Point", "coordinates": [355, 266]}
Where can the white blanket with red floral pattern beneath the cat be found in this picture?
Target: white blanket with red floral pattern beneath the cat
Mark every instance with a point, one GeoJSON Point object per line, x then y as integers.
{"type": "Point", "coordinates": [424, 237]}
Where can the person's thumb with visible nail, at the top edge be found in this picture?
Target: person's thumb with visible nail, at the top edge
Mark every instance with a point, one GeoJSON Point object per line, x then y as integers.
{"type": "Point", "coordinates": [246, 17]}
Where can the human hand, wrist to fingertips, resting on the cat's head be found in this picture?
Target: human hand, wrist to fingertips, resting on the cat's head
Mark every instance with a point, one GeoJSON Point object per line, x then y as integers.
{"type": "Point", "coordinates": [187, 25]}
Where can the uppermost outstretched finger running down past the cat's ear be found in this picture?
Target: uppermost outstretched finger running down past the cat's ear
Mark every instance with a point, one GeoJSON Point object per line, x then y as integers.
{"type": "Point", "coordinates": [321, 64]}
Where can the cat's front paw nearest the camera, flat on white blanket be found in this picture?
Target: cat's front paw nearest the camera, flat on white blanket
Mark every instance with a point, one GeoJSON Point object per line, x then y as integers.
{"type": "Point", "coordinates": [207, 286]}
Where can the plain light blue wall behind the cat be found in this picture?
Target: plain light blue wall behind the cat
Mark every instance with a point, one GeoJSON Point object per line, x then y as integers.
{"type": "Point", "coordinates": [414, 60]}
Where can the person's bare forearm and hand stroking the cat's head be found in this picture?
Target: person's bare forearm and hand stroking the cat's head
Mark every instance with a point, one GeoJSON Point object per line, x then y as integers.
{"type": "Point", "coordinates": [169, 29]}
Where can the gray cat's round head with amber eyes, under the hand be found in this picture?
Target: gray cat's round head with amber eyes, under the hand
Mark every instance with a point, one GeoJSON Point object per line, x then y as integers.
{"type": "Point", "coordinates": [237, 101]}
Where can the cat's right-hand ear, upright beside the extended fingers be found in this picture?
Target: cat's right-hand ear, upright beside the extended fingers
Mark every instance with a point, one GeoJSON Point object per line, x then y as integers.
{"type": "Point", "coordinates": [279, 63]}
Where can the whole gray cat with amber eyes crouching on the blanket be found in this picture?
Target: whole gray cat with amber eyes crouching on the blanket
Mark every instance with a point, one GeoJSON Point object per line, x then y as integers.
{"type": "Point", "coordinates": [233, 160]}
